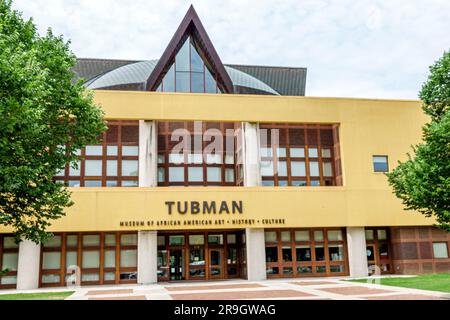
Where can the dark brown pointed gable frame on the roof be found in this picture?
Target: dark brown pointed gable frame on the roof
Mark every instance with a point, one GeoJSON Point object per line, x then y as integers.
{"type": "Point", "coordinates": [191, 26]}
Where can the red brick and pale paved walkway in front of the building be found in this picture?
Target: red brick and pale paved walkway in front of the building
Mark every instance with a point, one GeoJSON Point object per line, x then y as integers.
{"type": "Point", "coordinates": [297, 289]}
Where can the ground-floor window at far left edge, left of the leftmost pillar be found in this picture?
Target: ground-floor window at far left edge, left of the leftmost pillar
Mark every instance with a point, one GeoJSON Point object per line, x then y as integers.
{"type": "Point", "coordinates": [9, 253]}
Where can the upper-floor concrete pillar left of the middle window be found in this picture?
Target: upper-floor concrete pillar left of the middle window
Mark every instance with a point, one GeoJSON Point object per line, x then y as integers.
{"type": "Point", "coordinates": [148, 154]}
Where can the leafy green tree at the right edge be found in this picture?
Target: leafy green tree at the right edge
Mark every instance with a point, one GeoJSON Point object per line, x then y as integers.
{"type": "Point", "coordinates": [423, 181]}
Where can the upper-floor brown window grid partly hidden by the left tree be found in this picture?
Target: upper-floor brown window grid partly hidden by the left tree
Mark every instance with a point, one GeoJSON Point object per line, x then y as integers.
{"type": "Point", "coordinates": [120, 134]}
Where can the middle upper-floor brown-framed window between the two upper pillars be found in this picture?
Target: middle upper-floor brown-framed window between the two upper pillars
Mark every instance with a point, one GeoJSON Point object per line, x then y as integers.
{"type": "Point", "coordinates": [197, 164]}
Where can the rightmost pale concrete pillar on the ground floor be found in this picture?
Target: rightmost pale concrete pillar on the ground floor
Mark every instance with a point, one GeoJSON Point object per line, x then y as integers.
{"type": "Point", "coordinates": [357, 255]}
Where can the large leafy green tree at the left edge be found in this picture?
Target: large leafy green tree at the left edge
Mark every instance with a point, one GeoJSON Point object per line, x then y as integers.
{"type": "Point", "coordinates": [44, 119]}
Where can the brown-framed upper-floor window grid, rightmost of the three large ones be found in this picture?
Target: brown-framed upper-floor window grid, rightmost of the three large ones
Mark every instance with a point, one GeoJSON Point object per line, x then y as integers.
{"type": "Point", "coordinates": [309, 133]}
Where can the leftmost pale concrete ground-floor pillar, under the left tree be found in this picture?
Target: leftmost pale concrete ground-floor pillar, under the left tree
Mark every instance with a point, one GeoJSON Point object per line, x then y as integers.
{"type": "Point", "coordinates": [28, 265]}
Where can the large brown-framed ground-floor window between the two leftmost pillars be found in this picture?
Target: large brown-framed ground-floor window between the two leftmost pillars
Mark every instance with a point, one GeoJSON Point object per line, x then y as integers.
{"type": "Point", "coordinates": [100, 258]}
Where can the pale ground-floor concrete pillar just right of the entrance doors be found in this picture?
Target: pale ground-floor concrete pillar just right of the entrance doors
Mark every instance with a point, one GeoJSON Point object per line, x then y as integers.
{"type": "Point", "coordinates": [256, 254]}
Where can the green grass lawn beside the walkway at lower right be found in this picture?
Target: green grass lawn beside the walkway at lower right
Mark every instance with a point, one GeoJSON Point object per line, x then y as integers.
{"type": "Point", "coordinates": [433, 282]}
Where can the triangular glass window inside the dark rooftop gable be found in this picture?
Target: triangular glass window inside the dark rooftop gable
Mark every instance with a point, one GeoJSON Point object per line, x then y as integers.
{"type": "Point", "coordinates": [188, 73]}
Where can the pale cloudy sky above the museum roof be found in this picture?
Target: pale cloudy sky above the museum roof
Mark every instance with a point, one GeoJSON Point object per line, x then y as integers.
{"type": "Point", "coordinates": [365, 48]}
